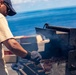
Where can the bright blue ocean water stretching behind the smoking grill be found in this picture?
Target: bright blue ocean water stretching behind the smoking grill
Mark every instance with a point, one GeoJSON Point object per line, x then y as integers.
{"type": "Point", "coordinates": [23, 24]}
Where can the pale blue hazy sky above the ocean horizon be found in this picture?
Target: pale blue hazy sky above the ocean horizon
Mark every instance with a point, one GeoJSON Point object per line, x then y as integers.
{"type": "Point", "coordinates": [30, 5]}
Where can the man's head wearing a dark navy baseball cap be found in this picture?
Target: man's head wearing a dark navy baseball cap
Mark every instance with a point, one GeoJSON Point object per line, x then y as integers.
{"type": "Point", "coordinates": [6, 8]}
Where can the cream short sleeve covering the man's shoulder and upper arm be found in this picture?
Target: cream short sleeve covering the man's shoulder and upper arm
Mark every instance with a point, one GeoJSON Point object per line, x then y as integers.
{"type": "Point", "coordinates": [5, 32]}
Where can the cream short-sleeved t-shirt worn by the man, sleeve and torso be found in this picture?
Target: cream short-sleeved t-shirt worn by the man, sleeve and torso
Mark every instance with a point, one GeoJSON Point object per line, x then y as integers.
{"type": "Point", "coordinates": [5, 34]}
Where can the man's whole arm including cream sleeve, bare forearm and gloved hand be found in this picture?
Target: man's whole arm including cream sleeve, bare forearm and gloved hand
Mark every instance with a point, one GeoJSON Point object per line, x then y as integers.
{"type": "Point", "coordinates": [7, 39]}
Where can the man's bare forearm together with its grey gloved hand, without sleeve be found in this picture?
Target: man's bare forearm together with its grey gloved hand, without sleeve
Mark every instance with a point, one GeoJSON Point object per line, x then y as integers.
{"type": "Point", "coordinates": [17, 49]}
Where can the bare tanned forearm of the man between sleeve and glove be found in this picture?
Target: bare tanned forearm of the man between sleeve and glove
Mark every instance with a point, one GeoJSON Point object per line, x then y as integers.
{"type": "Point", "coordinates": [15, 47]}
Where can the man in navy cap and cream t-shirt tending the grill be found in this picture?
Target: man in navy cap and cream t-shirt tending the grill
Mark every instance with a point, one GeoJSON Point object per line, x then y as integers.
{"type": "Point", "coordinates": [8, 40]}
